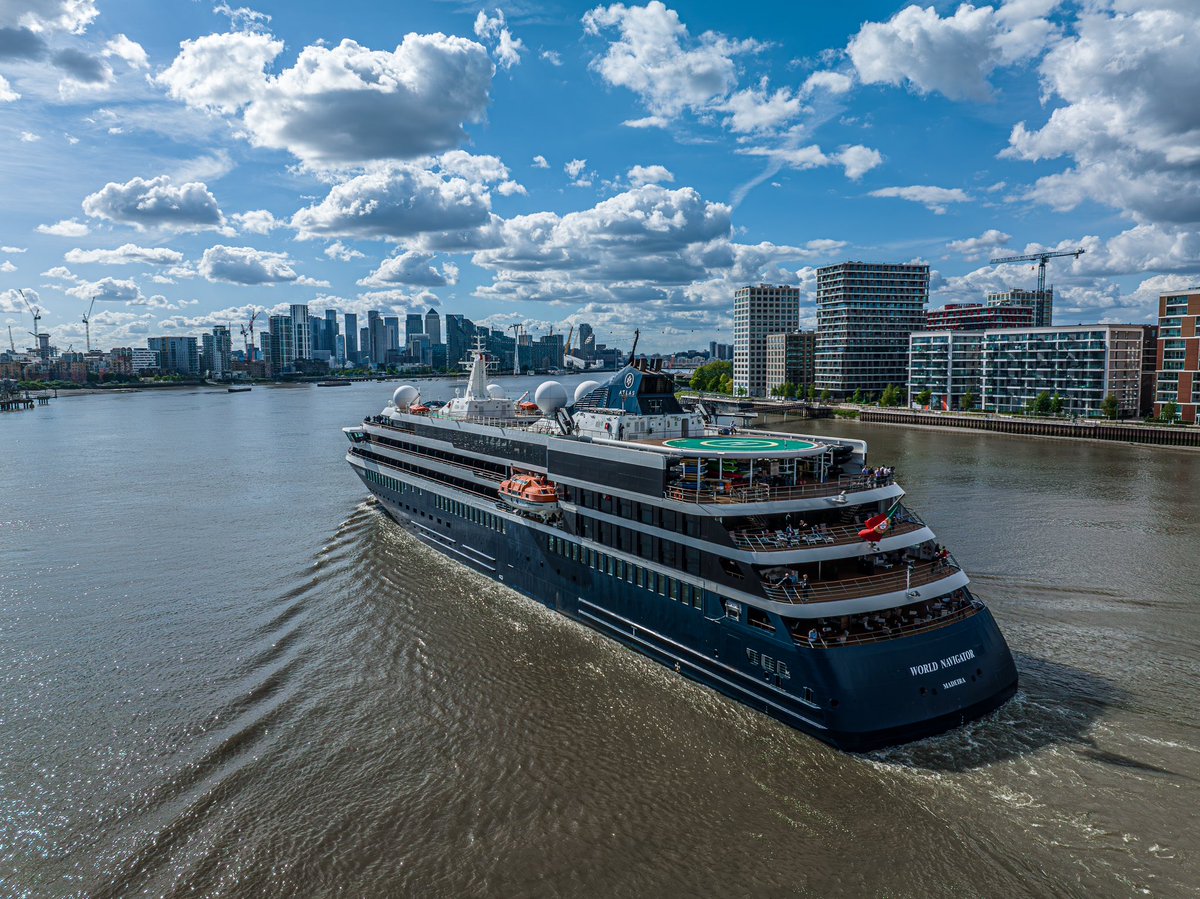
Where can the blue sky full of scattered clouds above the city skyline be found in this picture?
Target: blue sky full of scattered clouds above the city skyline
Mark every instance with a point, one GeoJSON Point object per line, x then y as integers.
{"type": "Point", "coordinates": [553, 163]}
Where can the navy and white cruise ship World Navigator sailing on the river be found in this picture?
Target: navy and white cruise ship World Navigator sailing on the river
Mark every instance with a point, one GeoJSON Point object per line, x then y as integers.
{"type": "Point", "coordinates": [778, 570]}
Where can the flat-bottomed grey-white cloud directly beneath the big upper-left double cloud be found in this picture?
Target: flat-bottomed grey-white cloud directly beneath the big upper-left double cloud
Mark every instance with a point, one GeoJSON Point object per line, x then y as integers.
{"type": "Point", "coordinates": [395, 201]}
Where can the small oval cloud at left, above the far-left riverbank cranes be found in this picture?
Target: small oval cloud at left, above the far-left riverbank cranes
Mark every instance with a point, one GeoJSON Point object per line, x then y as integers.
{"type": "Point", "coordinates": [157, 203]}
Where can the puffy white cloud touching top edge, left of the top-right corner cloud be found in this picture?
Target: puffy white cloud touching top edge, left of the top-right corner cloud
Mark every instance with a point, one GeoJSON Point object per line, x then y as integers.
{"type": "Point", "coordinates": [952, 56]}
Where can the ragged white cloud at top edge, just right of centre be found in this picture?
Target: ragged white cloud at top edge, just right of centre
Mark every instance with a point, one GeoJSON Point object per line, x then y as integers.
{"type": "Point", "coordinates": [655, 57]}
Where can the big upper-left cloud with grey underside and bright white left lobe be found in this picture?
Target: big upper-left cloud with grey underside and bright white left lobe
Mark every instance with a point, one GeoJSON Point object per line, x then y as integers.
{"type": "Point", "coordinates": [339, 105]}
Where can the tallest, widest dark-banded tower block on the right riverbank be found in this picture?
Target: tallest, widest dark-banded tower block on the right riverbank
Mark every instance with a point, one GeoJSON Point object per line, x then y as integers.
{"type": "Point", "coordinates": [866, 313]}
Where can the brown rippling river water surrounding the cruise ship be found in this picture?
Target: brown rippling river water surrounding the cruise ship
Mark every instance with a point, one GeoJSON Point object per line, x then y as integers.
{"type": "Point", "coordinates": [224, 673]}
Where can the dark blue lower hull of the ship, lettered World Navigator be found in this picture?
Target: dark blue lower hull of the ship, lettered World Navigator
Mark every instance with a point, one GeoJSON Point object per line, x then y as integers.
{"type": "Point", "coordinates": [855, 698]}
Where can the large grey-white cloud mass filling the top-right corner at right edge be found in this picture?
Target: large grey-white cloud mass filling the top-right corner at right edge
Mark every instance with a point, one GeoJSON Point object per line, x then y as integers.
{"type": "Point", "coordinates": [1123, 87]}
